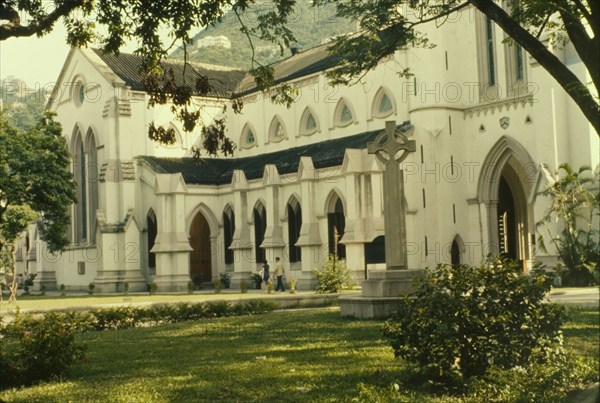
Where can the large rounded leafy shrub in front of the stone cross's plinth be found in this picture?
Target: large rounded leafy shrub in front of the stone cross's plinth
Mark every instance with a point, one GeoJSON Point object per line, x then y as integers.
{"type": "Point", "coordinates": [463, 320]}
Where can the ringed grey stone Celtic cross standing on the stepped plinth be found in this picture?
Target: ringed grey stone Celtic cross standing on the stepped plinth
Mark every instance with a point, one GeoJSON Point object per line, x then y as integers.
{"type": "Point", "coordinates": [392, 147]}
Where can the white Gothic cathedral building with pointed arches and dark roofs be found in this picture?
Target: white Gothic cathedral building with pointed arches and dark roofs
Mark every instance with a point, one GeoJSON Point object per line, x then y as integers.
{"type": "Point", "coordinates": [491, 127]}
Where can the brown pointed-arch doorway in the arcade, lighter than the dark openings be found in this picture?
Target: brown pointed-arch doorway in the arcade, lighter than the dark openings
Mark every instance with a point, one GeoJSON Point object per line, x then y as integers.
{"type": "Point", "coordinates": [200, 256]}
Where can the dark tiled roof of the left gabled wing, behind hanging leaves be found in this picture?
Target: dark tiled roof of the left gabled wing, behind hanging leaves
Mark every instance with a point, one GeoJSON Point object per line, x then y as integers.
{"type": "Point", "coordinates": [127, 66]}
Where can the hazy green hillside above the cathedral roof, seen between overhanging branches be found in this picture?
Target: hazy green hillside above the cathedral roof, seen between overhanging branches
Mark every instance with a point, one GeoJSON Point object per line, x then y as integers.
{"type": "Point", "coordinates": [311, 27]}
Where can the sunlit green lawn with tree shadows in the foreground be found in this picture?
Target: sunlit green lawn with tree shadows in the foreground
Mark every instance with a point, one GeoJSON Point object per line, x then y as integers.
{"type": "Point", "coordinates": [297, 356]}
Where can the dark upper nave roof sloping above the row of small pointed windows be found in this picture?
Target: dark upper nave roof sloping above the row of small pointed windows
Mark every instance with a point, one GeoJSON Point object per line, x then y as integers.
{"type": "Point", "coordinates": [302, 64]}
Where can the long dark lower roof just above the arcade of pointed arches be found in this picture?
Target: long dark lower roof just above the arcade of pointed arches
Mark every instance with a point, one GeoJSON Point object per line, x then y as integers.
{"type": "Point", "coordinates": [218, 171]}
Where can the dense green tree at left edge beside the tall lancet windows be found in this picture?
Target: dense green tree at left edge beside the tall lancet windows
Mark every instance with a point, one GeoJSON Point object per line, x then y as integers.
{"type": "Point", "coordinates": [35, 182]}
